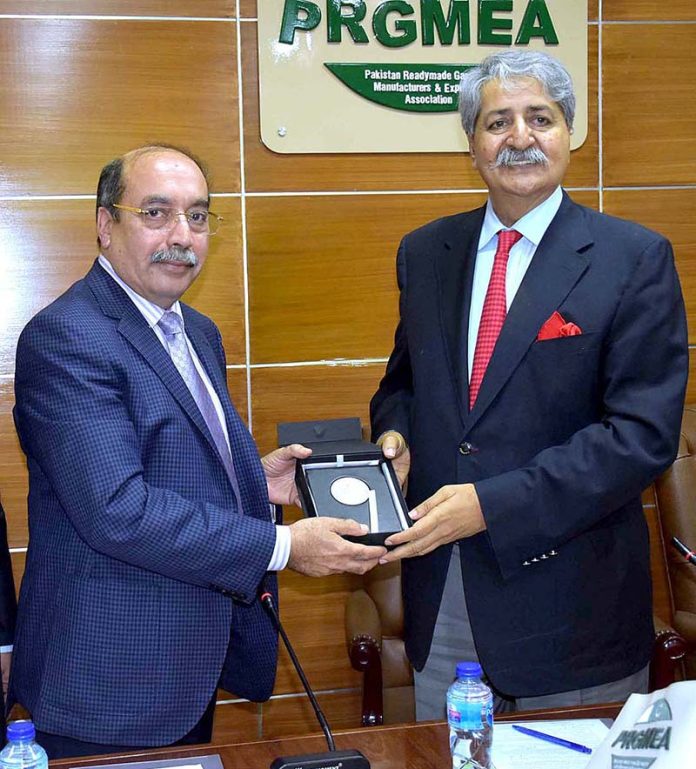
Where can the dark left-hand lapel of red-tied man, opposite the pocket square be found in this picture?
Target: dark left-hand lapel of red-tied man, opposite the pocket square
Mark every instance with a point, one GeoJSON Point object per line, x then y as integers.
{"type": "Point", "coordinates": [454, 266]}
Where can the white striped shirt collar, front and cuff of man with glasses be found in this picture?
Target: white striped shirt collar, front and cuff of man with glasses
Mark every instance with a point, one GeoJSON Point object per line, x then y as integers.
{"type": "Point", "coordinates": [152, 314]}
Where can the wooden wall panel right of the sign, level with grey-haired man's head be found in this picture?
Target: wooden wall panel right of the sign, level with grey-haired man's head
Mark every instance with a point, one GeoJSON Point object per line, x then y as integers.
{"type": "Point", "coordinates": [648, 115]}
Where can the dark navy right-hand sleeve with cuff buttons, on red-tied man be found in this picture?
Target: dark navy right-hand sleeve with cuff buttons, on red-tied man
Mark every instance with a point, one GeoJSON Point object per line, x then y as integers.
{"type": "Point", "coordinates": [567, 489]}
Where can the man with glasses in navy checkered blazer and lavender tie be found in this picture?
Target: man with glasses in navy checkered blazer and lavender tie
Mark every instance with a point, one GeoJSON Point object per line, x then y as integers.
{"type": "Point", "coordinates": [149, 517]}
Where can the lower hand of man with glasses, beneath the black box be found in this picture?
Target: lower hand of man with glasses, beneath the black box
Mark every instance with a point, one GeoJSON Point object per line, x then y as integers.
{"type": "Point", "coordinates": [318, 549]}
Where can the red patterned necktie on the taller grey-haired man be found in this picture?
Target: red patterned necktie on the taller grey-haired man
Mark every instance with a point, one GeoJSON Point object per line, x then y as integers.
{"type": "Point", "coordinates": [493, 314]}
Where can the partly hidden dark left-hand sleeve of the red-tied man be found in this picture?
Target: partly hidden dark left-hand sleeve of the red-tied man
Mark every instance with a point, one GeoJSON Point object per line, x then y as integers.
{"type": "Point", "coordinates": [389, 408]}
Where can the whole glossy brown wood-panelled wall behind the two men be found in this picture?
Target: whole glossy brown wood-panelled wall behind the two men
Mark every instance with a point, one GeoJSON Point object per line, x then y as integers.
{"type": "Point", "coordinates": [301, 280]}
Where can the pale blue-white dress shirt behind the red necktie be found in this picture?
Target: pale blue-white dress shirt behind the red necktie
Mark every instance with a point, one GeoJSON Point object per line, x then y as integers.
{"type": "Point", "coordinates": [532, 226]}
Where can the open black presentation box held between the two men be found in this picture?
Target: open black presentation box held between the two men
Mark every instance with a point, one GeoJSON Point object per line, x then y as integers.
{"type": "Point", "coordinates": [346, 477]}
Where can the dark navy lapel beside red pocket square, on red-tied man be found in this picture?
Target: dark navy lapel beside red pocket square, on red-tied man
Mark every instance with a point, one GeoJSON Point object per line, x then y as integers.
{"type": "Point", "coordinates": [555, 268]}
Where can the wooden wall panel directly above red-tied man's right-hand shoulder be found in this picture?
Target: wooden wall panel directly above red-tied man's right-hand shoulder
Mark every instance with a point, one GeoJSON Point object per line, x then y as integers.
{"type": "Point", "coordinates": [673, 213]}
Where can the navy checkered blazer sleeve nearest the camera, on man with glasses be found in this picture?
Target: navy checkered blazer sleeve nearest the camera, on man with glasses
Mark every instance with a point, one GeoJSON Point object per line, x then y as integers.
{"type": "Point", "coordinates": [78, 435]}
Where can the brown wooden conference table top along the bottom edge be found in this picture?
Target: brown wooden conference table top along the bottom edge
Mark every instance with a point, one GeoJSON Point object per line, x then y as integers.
{"type": "Point", "coordinates": [410, 746]}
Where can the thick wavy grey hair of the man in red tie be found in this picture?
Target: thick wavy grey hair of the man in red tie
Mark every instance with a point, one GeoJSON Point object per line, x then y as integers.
{"type": "Point", "coordinates": [507, 67]}
